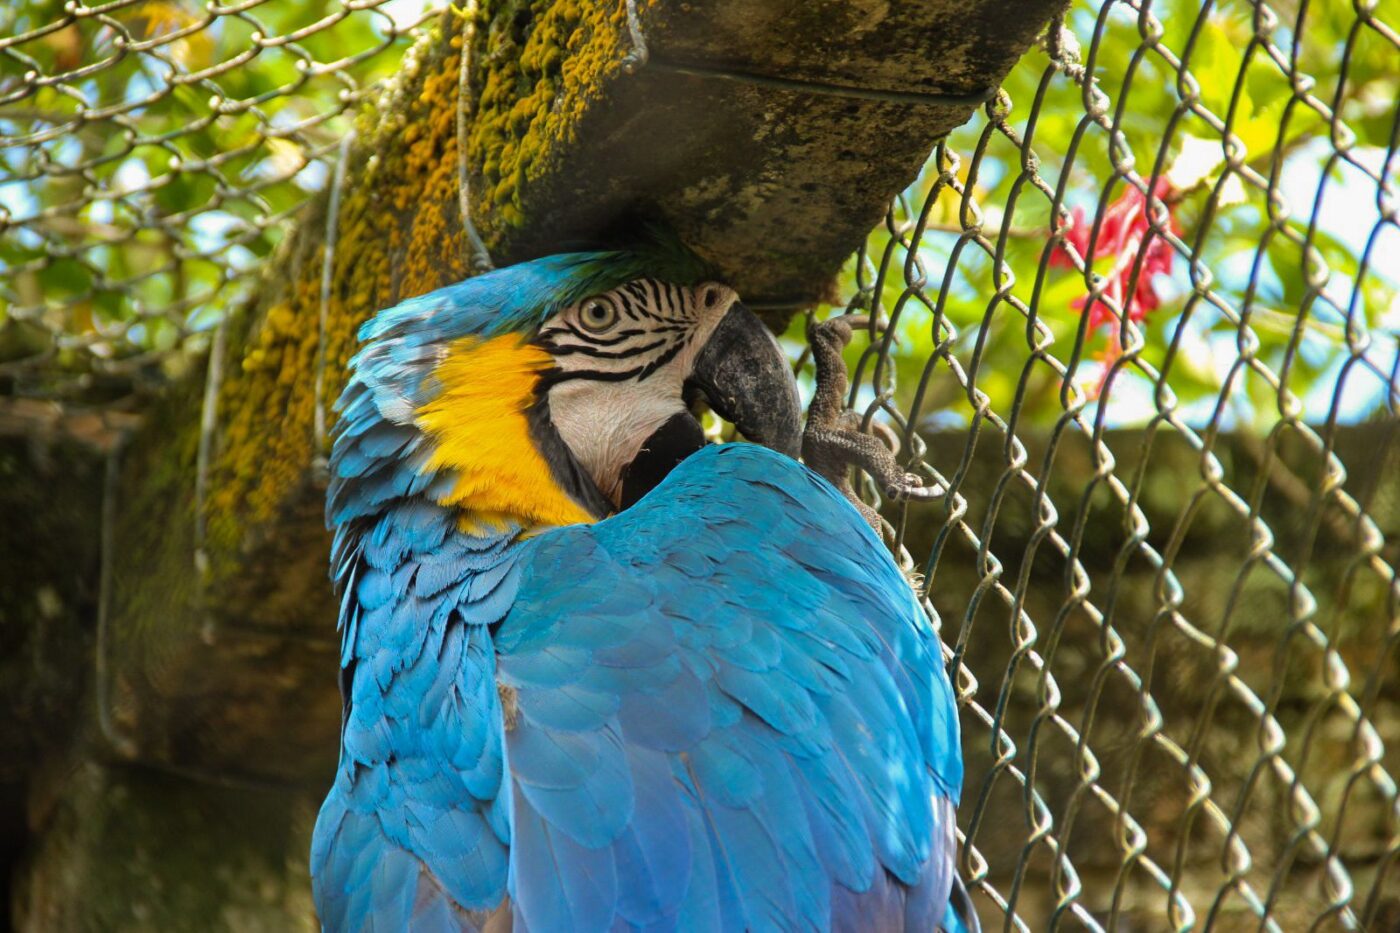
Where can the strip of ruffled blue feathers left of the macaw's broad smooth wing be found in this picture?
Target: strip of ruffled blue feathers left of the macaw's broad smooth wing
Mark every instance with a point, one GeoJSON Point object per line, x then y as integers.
{"type": "Point", "coordinates": [408, 837]}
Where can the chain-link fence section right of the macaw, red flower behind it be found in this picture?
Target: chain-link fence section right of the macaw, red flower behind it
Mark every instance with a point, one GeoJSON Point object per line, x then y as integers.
{"type": "Point", "coordinates": [1140, 322]}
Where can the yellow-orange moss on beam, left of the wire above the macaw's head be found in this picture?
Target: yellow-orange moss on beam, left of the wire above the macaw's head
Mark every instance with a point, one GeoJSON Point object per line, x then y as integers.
{"type": "Point", "coordinates": [398, 235]}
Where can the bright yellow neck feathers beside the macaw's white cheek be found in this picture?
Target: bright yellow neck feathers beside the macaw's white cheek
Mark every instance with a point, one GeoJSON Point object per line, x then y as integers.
{"type": "Point", "coordinates": [482, 434]}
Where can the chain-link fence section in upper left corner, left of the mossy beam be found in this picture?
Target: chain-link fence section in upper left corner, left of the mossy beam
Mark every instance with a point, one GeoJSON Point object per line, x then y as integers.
{"type": "Point", "coordinates": [152, 156]}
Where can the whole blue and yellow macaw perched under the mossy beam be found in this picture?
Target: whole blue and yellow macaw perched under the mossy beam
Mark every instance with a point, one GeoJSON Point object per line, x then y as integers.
{"type": "Point", "coordinates": [598, 675]}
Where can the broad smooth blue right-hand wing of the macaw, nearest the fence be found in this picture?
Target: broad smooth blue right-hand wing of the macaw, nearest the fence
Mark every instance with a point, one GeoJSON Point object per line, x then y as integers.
{"type": "Point", "coordinates": [768, 647]}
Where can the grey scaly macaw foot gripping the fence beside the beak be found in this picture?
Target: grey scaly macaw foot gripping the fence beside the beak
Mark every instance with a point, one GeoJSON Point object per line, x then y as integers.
{"type": "Point", "coordinates": [834, 441]}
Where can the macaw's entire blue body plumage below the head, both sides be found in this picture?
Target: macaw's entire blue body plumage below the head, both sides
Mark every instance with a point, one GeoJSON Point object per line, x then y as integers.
{"type": "Point", "coordinates": [727, 711]}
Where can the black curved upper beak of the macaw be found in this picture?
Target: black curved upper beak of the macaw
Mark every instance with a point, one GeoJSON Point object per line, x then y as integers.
{"type": "Point", "coordinates": [748, 382]}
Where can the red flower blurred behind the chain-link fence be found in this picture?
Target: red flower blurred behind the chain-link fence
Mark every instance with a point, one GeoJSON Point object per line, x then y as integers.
{"type": "Point", "coordinates": [1121, 236]}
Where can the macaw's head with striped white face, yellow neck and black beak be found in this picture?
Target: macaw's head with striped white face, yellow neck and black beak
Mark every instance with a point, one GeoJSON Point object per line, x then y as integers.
{"type": "Point", "coordinates": [559, 390]}
